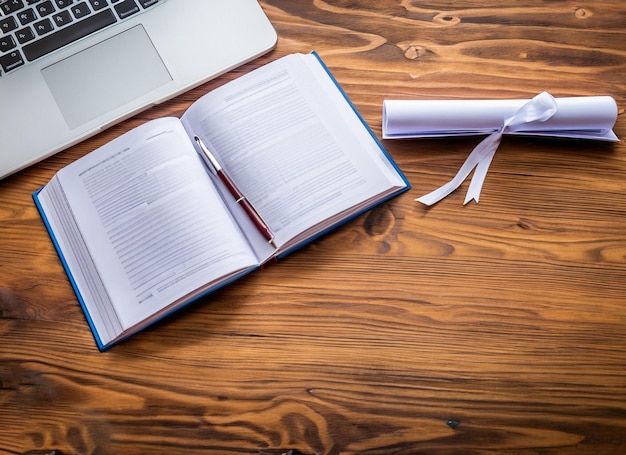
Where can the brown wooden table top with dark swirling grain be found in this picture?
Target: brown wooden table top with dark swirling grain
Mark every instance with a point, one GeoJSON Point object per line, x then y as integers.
{"type": "Point", "coordinates": [491, 327]}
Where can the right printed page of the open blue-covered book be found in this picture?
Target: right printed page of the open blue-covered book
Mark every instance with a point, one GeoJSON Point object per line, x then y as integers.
{"type": "Point", "coordinates": [293, 145]}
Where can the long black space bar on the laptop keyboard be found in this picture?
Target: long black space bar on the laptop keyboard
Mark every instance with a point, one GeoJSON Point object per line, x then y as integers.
{"type": "Point", "coordinates": [68, 34]}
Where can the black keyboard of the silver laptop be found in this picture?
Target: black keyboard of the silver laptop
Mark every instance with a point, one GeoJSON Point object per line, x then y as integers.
{"type": "Point", "coordinates": [30, 29]}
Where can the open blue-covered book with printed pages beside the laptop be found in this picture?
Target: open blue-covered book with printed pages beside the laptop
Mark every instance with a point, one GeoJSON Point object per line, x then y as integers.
{"type": "Point", "coordinates": [145, 224]}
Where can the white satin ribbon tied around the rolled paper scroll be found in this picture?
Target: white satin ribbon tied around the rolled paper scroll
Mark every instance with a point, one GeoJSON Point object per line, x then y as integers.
{"type": "Point", "coordinates": [539, 109]}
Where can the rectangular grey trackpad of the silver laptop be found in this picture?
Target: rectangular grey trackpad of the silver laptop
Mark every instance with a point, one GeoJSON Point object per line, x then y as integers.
{"type": "Point", "coordinates": [106, 76]}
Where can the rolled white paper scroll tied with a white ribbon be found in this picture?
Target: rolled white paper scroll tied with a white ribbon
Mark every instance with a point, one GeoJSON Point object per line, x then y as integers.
{"type": "Point", "coordinates": [590, 117]}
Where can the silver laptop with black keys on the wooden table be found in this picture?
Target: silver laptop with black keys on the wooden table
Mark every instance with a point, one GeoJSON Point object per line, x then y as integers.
{"type": "Point", "coordinates": [71, 68]}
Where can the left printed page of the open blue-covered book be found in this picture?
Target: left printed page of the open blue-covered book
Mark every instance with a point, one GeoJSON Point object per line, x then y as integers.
{"type": "Point", "coordinates": [153, 223]}
